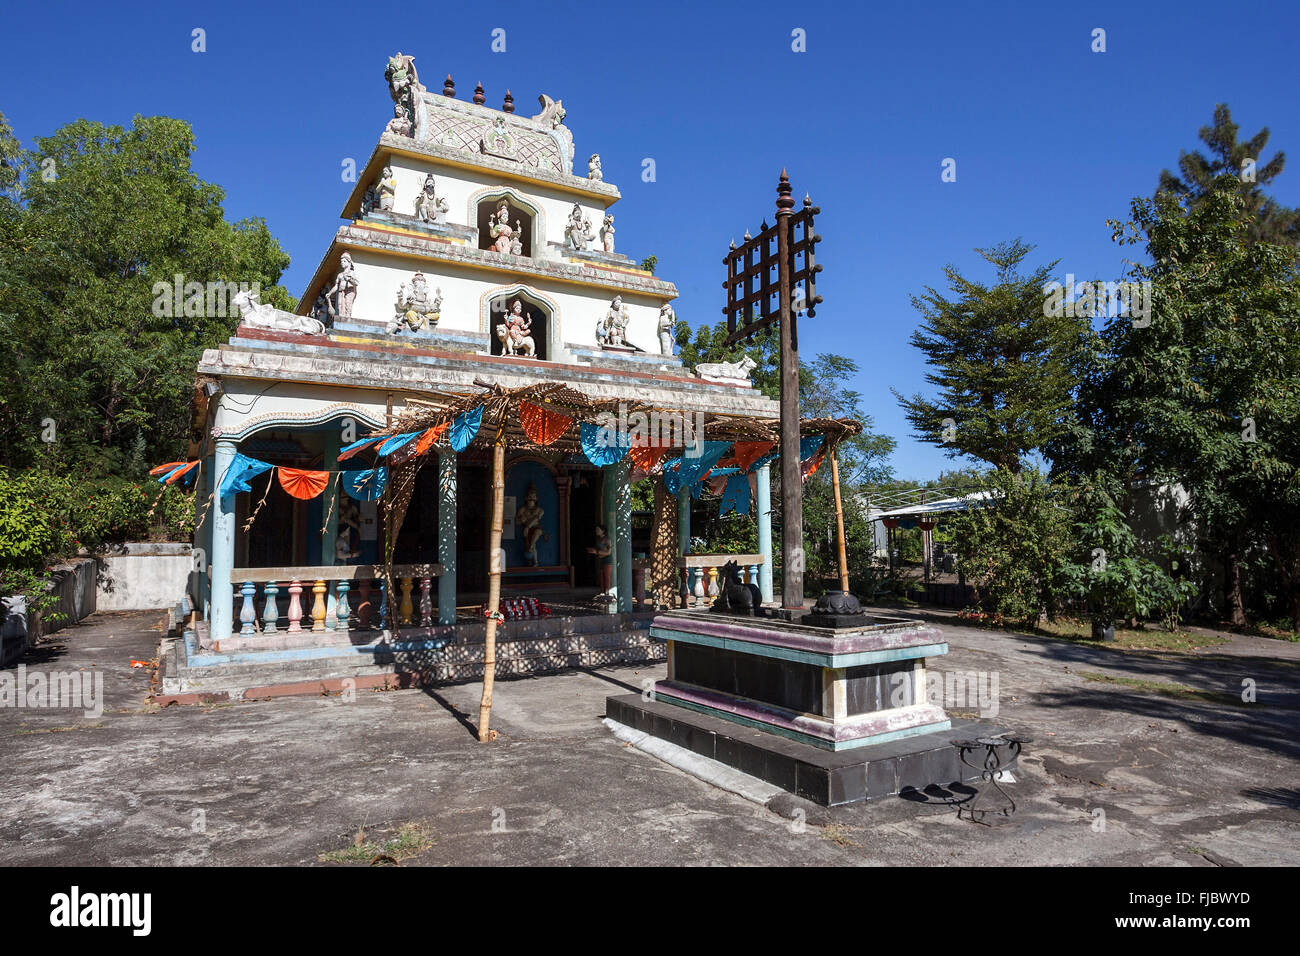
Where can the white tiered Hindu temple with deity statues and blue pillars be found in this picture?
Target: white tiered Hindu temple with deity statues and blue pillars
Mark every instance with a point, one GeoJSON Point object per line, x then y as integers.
{"type": "Point", "coordinates": [474, 299]}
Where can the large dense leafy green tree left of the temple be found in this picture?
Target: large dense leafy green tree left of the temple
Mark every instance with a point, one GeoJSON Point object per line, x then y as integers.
{"type": "Point", "coordinates": [102, 215]}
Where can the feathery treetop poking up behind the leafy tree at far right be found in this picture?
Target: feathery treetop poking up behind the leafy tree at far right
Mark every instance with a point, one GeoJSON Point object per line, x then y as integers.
{"type": "Point", "coordinates": [1201, 175]}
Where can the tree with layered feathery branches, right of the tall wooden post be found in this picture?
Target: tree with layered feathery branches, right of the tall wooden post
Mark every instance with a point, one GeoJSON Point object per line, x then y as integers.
{"type": "Point", "coordinates": [1004, 366]}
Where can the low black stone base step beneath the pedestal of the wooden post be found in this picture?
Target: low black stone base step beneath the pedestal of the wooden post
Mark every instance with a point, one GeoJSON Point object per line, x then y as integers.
{"type": "Point", "coordinates": [826, 777]}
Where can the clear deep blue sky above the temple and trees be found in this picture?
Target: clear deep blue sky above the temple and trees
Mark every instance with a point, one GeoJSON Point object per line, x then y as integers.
{"type": "Point", "coordinates": [1050, 139]}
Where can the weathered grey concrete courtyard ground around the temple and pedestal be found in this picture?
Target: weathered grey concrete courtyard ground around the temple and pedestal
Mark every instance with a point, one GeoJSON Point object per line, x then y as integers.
{"type": "Point", "coordinates": [1115, 776]}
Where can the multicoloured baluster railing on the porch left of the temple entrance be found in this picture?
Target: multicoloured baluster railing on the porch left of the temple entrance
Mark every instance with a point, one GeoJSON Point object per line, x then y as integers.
{"type": "Point", "coordinates": [322, 599]}
